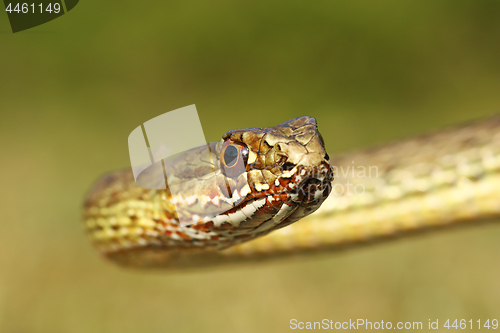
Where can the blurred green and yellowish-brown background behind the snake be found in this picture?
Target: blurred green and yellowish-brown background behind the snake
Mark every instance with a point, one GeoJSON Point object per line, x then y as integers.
{"type": "Point", "coordinates": [73, 89]}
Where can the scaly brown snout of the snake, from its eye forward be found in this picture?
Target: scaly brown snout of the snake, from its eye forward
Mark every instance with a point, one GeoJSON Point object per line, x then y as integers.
{"type": "Point", "coordinates": [287, 173]}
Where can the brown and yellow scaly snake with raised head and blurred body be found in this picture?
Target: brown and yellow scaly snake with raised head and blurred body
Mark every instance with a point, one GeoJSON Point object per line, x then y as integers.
{"type": "Point", "coordinates": [266, 193]}
